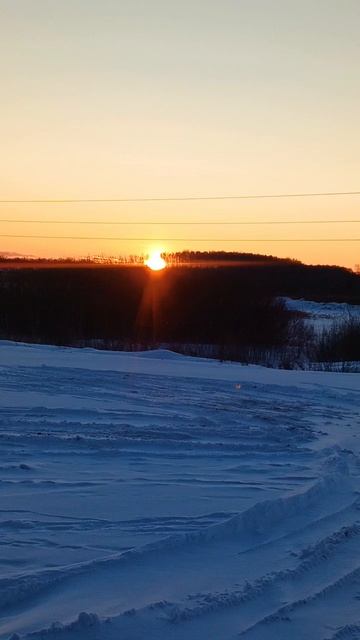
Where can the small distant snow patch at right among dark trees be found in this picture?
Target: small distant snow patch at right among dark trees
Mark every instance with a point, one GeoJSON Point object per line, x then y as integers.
{"type": "Point", "coordinates": [323, 315]}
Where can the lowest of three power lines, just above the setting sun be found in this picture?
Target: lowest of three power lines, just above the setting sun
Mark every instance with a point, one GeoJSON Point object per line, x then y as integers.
{"type": "Point", "coordinates": [115, 239]}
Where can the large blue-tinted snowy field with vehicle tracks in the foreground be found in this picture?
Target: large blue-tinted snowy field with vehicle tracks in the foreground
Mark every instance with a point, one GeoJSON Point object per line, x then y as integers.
{"type": "Point", "coordinates": [176, 498]}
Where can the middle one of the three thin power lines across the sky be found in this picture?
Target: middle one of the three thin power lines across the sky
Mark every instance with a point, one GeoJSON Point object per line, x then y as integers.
{"type": "Point", "coordinates": [178, 223]}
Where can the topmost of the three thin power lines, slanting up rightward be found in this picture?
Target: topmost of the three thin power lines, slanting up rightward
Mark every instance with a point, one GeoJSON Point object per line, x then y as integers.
{"type": "Point", "coordinates": [184, 198]}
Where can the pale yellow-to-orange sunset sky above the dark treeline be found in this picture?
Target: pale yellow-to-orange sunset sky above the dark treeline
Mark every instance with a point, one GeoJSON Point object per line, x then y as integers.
{"type": "Point", "coordinates": [164, 99]}
